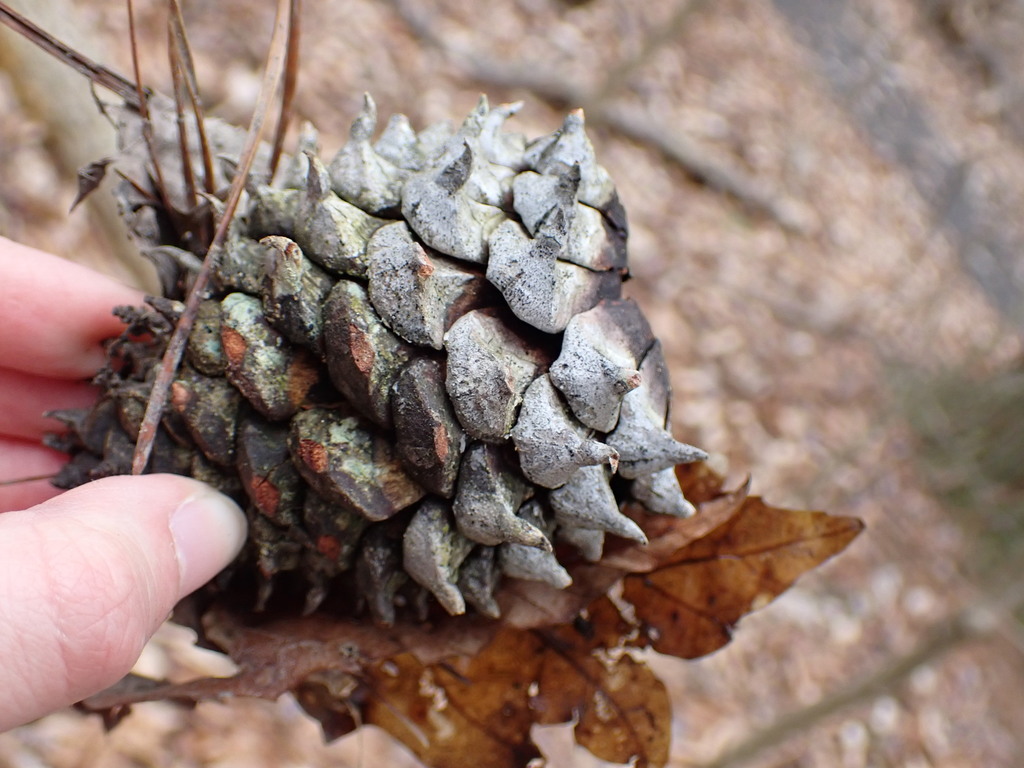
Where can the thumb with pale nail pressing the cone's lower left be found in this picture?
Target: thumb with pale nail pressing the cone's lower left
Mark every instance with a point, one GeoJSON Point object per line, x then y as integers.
{"type": "Point", "coordinates": [87, 579]}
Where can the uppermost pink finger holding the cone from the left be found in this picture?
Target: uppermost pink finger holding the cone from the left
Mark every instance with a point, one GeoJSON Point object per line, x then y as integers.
{"type": "Point", "coordinates": [56, 313]}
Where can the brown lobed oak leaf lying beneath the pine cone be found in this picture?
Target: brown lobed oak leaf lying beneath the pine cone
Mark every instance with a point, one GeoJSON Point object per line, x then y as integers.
{"type": "Point", "coordinates": [456, 689]}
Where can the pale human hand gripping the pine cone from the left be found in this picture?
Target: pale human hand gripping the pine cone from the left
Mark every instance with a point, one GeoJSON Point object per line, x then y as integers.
{"type": "Point", "coordinates": [89, 576]}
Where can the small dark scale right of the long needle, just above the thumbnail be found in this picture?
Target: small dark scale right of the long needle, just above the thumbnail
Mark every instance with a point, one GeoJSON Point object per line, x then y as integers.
{"type": "Point", "coordinates": [209, 407]}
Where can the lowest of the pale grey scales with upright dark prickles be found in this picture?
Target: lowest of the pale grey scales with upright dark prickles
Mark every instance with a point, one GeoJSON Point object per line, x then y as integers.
{"type": "Point", "coordinates": [539, 288]}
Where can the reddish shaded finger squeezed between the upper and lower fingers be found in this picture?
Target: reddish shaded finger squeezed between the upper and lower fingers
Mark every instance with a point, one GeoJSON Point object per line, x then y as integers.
{"type": "Point", "coordinates": [25, 398]}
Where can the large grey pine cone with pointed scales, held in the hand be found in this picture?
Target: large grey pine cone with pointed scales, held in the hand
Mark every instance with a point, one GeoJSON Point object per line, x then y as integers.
{"type": "Point", "coordinates": [416, 371]}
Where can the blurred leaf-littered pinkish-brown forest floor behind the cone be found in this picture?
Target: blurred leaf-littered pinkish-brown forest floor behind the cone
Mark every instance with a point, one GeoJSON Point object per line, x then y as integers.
{"type": "Point", "coordinates": [825, 202]}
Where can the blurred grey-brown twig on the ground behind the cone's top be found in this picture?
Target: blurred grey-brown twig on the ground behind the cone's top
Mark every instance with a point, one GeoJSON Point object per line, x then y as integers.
{"type": "Point", "coordinates": [699, 163]}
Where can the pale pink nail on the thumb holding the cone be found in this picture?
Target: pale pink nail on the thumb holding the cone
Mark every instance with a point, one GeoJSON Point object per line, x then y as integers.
{"type": "Point", "coordinates": [209, 531]}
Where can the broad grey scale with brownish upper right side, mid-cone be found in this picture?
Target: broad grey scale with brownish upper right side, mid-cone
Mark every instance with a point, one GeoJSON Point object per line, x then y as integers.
{"type": "Point", "coordinates": [489, 370]}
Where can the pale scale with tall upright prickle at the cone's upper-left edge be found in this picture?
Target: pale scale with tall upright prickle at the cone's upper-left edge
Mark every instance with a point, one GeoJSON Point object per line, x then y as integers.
{"type": "Point", "coordinates": [360, 176]}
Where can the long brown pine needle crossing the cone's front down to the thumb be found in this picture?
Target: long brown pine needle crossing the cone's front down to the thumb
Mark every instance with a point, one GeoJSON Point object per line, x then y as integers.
{"type": "Point", "coordinates": [176, 348]}
